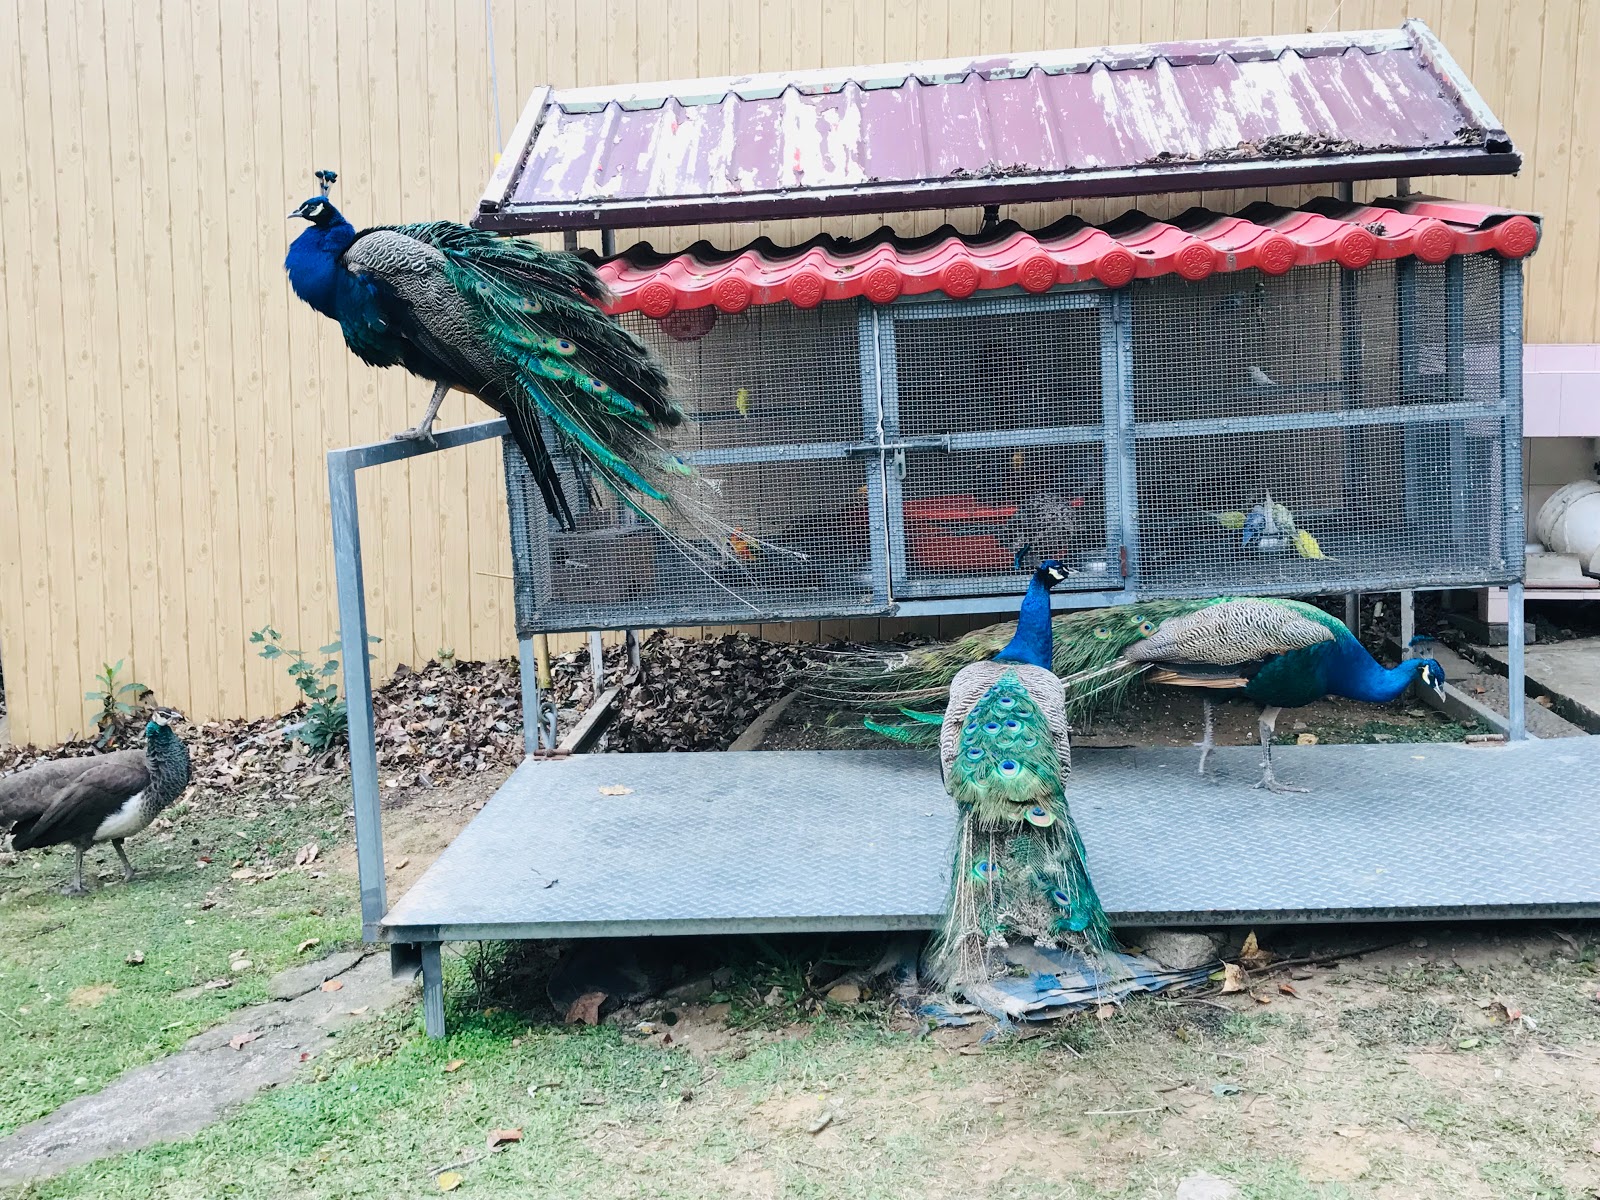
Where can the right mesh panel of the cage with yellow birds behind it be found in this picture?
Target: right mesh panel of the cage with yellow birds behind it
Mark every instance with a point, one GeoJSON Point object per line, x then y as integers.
{"type": "Point", "coordinates": [1364, 407]}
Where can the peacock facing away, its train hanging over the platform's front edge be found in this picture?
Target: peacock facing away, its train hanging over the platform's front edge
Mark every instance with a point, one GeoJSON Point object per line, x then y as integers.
{"type": "Point", "coordinates": [1006, 754]}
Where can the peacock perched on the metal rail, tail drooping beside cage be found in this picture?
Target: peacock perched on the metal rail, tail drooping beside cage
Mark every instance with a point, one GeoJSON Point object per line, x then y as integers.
{"type": "Point", "coordinates": [521, 329]}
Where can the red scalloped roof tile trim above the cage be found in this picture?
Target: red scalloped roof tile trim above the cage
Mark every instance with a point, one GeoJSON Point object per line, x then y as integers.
{"type": "Point", "coordinates": [1193, 246]}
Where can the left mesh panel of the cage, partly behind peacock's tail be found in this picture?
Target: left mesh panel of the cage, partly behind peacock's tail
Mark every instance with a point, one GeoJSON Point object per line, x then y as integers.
{"type": "Point", "coordinates": [774, 406]}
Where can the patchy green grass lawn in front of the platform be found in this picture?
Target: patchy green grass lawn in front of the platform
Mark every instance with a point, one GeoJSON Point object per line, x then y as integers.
{"type": "Point", "coordinates": [1390, 1078]}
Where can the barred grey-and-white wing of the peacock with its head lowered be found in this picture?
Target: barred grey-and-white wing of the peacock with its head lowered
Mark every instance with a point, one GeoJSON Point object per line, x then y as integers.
{"type": "Point", "coordinates": [1231, 633]}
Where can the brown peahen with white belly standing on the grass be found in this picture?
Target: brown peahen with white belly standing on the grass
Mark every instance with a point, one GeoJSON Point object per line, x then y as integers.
{"type": "Point", "coordinates": [108, 798]}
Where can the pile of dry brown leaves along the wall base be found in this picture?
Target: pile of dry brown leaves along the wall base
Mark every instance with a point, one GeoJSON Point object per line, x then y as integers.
{"type": "Point", "coordinates": [452, 722]}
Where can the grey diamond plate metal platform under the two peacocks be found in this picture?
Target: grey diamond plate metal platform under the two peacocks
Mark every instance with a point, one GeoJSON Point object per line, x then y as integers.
{"type": "Point", "coordinates": [862, 841]}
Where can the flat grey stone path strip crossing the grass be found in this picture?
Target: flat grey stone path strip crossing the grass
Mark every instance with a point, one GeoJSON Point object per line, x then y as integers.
{"type": "Point", "coordinates": [180, 1095]}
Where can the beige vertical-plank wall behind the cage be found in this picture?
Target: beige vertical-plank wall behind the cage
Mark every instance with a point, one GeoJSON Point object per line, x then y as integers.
{"type": "Point", "coordinates": [169, 402]}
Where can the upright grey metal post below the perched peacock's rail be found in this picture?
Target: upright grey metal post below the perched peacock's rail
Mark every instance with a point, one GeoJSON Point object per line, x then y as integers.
{"type": "Point", "coordinates": [358, 690]}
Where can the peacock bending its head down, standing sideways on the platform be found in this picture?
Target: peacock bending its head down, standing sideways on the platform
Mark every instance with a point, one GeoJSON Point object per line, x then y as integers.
{"type": "Point", "coordinates": [1281, 654]}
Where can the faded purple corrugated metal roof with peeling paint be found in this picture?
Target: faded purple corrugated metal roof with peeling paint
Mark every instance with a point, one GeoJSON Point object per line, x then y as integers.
{"type": "Point", "coordinates": [1119, 121]}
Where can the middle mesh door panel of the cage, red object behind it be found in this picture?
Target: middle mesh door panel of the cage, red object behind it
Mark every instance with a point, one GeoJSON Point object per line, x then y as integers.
{"type": "Point", "coordinates": [1001, 409]}
